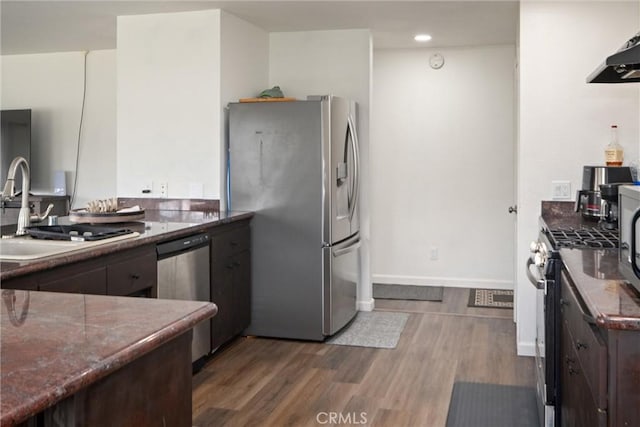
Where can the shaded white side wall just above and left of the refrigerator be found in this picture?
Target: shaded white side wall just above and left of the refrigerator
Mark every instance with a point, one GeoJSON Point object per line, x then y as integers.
{"type": "Point", "coordinates": [244, 73]}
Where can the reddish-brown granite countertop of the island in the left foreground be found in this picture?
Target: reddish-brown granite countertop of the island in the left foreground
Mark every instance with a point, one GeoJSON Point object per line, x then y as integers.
{"type": "Point", "coordinates": [54, 344]}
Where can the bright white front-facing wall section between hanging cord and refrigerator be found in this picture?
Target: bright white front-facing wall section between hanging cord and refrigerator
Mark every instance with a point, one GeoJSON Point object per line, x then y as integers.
{"type": "Point", "coordinates": [168, 103]}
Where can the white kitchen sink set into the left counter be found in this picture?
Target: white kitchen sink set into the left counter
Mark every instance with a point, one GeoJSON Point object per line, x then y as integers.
{"type": "Point", "coordinates": [28, 248]}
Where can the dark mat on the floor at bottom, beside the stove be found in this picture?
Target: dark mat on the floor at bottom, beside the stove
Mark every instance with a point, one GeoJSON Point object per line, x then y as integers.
{"type": "Point", "coordinates": [492, 405]}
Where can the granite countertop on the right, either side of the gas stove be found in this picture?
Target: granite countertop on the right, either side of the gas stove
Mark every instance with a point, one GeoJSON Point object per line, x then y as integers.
{"type": "Point", "coordinates": [612, 302]}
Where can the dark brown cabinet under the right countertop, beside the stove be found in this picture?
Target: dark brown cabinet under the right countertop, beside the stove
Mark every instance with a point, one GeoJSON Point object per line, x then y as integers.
{"type": "Point", "coordinates": [600, 368]}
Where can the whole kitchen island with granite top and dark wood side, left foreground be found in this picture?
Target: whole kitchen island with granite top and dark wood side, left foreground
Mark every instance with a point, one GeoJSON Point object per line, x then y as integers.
{"type": "Point", "coordinates": [72, 359]}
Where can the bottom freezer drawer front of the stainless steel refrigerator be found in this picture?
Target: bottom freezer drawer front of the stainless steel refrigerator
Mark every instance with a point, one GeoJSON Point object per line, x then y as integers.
{"type": "Point", "coordinates": [340, 290]}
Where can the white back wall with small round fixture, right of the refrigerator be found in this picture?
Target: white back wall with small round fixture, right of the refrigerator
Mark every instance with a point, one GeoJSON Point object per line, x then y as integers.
{"type": "Point", "coordinates": [442, 154]}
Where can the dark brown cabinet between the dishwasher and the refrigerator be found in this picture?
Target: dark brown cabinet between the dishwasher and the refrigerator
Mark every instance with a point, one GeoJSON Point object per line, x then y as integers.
{"type": "Point", "coordinates": [230, 281]}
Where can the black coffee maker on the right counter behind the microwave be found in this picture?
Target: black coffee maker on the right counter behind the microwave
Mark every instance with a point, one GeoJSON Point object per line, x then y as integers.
{"type": "Point", "coordinates": [598, 198]}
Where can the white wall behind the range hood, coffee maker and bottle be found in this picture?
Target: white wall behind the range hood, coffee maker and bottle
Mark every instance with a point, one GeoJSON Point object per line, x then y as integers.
{"type": "Point", "coordinates": [564, 122]}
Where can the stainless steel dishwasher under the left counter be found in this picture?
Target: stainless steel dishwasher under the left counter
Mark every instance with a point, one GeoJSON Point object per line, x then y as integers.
{"type": "Point", "coordinates": [183, 274]}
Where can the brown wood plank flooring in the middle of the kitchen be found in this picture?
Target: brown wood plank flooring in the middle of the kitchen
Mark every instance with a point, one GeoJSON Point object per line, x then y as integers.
{"type": "Point", "coordinates": [268, 382]}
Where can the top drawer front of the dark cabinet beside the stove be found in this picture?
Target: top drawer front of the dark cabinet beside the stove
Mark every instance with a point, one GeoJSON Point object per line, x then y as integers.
{"type": "Point", "coordinates": [590, 348]}
